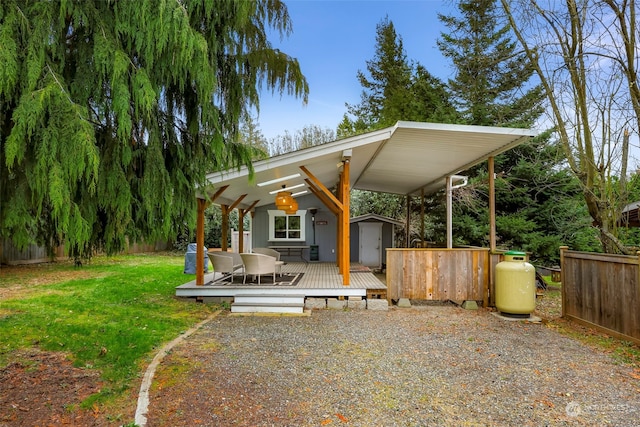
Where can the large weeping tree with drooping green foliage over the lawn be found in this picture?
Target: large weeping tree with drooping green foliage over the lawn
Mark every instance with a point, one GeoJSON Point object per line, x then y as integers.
{"type": "Point", "coordinates": [112, 112]}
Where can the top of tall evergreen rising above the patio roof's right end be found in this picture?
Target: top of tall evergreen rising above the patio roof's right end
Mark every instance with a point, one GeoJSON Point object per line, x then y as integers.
{"type": "Point", "coordinates": [491, 85]}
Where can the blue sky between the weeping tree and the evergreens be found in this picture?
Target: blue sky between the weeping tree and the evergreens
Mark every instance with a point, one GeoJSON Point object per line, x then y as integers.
{"type": "Point", "coordinates": [332, 40]}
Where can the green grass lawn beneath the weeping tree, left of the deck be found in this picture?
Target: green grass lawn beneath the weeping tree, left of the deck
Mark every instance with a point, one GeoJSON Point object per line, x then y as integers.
{"type": "Point", "coordinates": [109, 315]}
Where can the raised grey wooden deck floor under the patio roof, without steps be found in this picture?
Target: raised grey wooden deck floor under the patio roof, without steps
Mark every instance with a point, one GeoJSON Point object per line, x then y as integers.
{"type": "Point", "coordinates": [319, 280]}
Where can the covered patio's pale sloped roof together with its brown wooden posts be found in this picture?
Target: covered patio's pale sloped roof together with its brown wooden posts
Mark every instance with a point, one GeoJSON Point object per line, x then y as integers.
{"type": "Point", "coordinates": [409, 159]}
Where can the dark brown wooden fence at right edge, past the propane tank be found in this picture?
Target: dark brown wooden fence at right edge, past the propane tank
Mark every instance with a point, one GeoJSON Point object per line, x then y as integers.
{"type": "Point", "coordinates": [602, 291]}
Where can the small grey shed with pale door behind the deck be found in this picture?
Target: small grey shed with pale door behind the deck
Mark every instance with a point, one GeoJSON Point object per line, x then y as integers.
{"type": "Point", "coordinates": [371, 235]}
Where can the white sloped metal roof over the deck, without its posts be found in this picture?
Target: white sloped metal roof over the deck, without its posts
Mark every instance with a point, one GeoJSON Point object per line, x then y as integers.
{"type": "Point", "coordinates": [402, 159]}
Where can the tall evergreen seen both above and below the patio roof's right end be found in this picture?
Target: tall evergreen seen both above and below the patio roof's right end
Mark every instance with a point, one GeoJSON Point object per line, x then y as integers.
{"type": "Point", "coordinates": [536, 197]}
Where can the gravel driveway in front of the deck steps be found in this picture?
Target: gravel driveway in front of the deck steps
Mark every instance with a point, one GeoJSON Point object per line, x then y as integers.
{"type": "Point", "coordinates": [427, 365]}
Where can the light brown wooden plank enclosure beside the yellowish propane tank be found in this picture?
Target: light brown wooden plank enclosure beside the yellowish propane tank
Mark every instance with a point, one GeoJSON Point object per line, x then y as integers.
{"type": "Point", "coordinates": [438, 274]}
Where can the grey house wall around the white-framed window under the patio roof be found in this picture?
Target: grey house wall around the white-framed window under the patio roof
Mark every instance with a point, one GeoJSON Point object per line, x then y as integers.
{"type": "Point", "coordinates": [325, 235]}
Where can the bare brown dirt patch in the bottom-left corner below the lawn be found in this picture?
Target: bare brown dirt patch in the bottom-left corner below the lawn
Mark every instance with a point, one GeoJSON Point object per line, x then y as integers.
{"type": "Point", "coordinates": [42, 388]}
